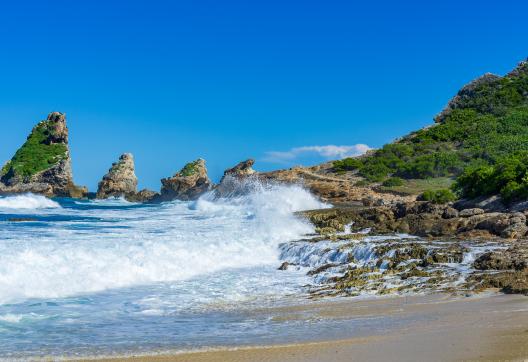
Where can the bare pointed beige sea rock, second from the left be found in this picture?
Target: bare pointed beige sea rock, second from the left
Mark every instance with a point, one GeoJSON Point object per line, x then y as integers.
{"type": "Point", "coordinates": [120, 181]}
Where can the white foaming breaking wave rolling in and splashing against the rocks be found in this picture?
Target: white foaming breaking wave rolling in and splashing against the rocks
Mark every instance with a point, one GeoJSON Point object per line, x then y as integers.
{"type": "Point", "coordinates": [118, 247]}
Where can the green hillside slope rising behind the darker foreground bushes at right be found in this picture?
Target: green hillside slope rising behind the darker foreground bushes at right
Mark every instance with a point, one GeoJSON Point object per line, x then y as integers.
{"type": "Point", "coordinates": [486, 123]}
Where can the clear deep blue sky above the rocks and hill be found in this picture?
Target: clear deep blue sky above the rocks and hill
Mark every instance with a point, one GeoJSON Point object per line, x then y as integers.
{"type": "Point", "coordinates": [171, 81]}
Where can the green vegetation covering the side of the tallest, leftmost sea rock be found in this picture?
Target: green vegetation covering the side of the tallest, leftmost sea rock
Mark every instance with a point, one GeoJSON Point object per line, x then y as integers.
{"type": "Point", "coordinates": [36, 155]}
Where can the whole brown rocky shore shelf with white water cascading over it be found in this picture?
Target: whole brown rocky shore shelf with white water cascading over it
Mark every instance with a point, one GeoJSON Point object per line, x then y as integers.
{"type": "Point", "coordinates": [411, 264]}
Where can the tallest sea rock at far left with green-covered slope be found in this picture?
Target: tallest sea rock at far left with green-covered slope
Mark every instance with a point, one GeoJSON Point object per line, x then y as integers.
{"type": "Point", "coordinates": [43, 164]}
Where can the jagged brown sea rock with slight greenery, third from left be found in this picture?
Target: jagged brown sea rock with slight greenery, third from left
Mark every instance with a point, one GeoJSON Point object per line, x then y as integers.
{"type": "Point", "coordinates": [190, 183]}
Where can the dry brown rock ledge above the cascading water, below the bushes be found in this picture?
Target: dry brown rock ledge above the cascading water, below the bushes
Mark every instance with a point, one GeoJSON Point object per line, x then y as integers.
{"type": "Point", "coordinates": [422, 219]}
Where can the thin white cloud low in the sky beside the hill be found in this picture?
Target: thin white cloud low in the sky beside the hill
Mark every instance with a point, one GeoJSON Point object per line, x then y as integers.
{"type": "Point", "coordinates": [327, 152]}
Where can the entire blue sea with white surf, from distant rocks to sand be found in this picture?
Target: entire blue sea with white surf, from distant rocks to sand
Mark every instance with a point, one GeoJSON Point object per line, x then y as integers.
{"type": "Point", "coordinates": [109, 277]}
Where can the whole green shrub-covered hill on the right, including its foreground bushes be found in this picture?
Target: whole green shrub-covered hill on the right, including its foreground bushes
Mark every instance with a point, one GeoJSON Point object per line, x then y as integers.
{"type": "Point", "coordinates": [481, 138]}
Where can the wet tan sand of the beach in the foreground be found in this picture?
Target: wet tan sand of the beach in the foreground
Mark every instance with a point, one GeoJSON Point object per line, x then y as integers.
{"type": "Point", "coordinates": [484, 328]}
